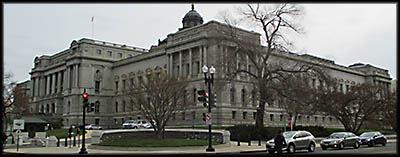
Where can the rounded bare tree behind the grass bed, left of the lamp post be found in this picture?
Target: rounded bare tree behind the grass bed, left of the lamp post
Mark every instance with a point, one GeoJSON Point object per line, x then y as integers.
{"type": "Point", "coordinates": [158, 98]}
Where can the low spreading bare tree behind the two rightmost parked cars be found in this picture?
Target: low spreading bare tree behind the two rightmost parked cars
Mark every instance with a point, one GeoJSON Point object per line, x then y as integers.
{"type": "Point", "coordinates": [352, 107]}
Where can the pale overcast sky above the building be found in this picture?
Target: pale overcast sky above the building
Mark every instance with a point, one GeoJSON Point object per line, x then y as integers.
{"type": "Point", "coordinates": [346, 33]}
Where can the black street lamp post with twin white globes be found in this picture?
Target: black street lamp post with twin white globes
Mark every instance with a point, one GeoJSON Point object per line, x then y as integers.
{"type": "Point", "coordinates": [209, 81]}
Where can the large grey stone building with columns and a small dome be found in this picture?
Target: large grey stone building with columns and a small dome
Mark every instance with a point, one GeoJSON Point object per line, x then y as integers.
{"type": "Point", "coordinates": [105, 69]}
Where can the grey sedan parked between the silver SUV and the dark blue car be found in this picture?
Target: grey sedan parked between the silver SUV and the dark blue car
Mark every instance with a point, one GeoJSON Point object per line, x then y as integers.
{"type": "Point", "coordinates": [340, 140]}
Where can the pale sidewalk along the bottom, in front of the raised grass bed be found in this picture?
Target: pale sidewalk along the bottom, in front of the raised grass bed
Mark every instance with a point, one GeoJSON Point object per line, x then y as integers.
{"type": "Point", "coordinates": [92, 149]}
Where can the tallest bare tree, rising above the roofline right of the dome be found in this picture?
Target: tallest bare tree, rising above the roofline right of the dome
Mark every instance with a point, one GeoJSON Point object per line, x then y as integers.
{"type": "Point", "coordinates": [265, 72]}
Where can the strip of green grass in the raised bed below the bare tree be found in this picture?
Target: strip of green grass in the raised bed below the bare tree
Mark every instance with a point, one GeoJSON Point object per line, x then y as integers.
{"type": "Point", "coordinates": [156, 143]}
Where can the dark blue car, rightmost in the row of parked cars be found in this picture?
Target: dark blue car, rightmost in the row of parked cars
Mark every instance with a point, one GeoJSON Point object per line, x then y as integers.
{"type": "Point", "coordinates": [372, 138]}
